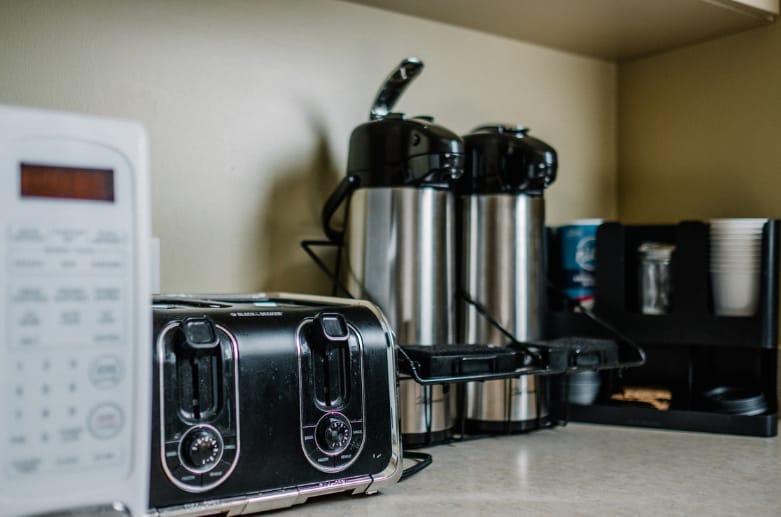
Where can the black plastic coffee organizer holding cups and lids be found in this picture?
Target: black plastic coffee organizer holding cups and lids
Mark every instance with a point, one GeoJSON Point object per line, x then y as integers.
{"type": "Point", "coordinates": [716, 373]}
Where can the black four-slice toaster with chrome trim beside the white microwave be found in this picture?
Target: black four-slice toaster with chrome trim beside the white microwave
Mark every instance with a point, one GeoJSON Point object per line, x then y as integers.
{"type": "Point", "coordinates": [263, 401]}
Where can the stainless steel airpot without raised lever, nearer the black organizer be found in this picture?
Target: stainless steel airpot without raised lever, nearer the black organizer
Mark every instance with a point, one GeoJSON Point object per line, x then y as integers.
{"type": "Point", "coordinates": [502, 278]}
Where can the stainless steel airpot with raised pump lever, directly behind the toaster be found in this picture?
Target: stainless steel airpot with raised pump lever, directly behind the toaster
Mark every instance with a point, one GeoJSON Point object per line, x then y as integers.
{"type": "Point", "coordinates": [398, 239]}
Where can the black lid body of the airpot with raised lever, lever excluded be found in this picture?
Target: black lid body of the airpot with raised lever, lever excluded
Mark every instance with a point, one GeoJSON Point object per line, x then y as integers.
{"type": "Point", "coordinates": [398, 151]}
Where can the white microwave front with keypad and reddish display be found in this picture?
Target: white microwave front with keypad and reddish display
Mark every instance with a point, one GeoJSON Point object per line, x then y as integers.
{"type": "Point", "coordinates": [74, 310]}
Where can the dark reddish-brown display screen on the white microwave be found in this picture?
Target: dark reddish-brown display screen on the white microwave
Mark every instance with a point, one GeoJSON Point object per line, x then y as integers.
{"type": "Point", "coordinates": [67, 182]}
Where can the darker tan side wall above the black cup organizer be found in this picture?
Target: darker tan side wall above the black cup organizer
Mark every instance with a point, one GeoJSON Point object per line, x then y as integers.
{"type": "Point", "coordinates": [699, 131]}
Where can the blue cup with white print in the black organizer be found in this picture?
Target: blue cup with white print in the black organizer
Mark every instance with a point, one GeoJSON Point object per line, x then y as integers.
{"type": "Point", "coordinates": [579, 259]}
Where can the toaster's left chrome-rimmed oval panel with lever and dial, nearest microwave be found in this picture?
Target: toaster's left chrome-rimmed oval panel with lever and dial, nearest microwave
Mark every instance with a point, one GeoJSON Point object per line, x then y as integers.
{"type": "Point", "coordinates": [200, 431]}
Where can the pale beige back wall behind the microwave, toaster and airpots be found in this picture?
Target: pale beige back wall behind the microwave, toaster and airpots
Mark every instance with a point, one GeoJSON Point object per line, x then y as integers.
{"type": "Point", "coordinates": [249, 106]}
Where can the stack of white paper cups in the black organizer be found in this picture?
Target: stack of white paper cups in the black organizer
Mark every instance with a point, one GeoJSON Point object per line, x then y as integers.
{"type": "Point", "coordinates": [735, 253]}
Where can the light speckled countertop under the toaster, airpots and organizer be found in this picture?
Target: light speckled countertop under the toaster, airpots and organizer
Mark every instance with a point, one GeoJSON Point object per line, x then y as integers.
{"type": "Point", "coordinates": [581, 469]}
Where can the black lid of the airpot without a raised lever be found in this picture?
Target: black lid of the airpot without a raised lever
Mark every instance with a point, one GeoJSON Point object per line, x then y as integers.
{"type": "Point", "coordinates": [505, 159]}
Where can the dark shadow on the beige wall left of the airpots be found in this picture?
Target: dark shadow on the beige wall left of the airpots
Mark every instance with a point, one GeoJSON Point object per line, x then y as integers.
{"type": "Point", "coordinates": [290, 214]}
